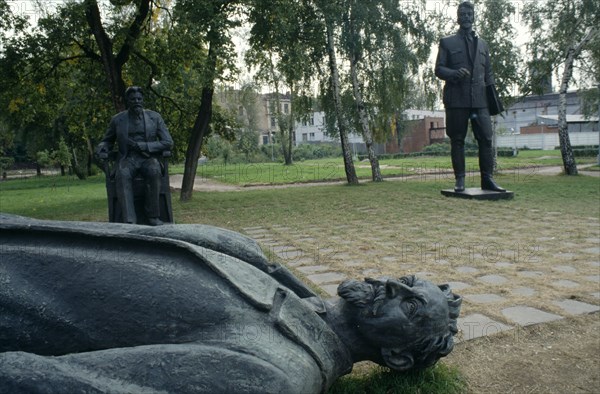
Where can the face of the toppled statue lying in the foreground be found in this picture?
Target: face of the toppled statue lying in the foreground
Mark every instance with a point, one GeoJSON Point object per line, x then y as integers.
{"type": "Point", "coordinates": [412, 310]}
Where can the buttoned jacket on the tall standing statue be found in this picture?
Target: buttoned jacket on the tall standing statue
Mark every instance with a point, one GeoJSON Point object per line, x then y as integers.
{"type": "Point", "coordinates": [469, 92]}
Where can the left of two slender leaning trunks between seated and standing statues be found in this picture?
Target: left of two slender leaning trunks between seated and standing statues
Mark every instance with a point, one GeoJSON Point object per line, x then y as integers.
{"type": "Point", "coordinates": [337, 102]}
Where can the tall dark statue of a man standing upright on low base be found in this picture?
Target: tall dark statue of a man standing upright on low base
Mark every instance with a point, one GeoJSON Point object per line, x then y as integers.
{"type": "Point", "coordinates": [463, 61]}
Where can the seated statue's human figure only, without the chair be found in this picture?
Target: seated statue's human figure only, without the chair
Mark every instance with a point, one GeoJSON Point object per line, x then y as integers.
{"type": "Point", "coordinates": [141, 136]}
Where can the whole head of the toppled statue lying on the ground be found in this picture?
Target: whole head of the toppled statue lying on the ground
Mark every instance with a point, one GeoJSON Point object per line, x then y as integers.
{"type": "Point", "coordinates": [408, 322]}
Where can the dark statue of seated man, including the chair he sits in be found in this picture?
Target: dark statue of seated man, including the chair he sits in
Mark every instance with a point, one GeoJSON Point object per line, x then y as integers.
{"type": "Point", "coordinates": [142, 141]}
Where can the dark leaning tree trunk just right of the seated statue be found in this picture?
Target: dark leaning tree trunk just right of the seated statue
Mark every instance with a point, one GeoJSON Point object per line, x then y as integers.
{"type": "Point", "coordinates": [201, 125]}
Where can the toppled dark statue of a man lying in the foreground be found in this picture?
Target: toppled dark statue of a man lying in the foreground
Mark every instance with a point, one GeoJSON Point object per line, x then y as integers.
{"type": "Point", "coordinates": [109, 307]}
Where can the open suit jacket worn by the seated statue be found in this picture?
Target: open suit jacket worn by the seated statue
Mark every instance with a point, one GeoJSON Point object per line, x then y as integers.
{"type": "Point", "coordinates": [157, 136]}
